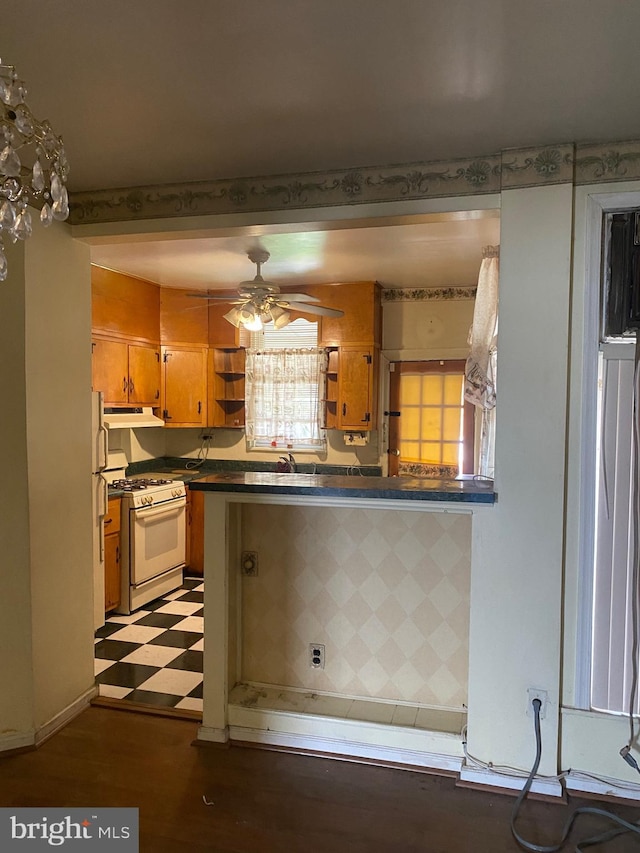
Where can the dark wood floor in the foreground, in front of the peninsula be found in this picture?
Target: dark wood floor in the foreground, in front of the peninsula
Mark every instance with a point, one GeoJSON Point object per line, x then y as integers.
{"type": "Point", "coordinates": [268, 802]}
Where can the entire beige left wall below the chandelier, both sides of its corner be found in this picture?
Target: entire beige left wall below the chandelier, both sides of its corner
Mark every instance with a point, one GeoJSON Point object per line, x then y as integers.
{"type": "Point", "coordinates": [46, 656]}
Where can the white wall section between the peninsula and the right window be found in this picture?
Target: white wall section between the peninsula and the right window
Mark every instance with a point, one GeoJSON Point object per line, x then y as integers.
{"type": "Point", "coordinates": [517, 558]}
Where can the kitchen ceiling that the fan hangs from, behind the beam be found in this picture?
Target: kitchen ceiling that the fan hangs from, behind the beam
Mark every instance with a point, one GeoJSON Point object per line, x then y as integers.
{"type": "Point", "coordinates": [439, 251]}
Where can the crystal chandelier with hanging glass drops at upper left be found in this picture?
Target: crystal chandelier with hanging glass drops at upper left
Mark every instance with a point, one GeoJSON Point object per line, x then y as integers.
{"type": "Point", "coordinates": [33, 166]}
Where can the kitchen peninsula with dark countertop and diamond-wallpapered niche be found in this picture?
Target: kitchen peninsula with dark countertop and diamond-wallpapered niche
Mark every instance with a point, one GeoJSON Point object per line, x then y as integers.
{"type": "Point", "coordinates": [363, 549]}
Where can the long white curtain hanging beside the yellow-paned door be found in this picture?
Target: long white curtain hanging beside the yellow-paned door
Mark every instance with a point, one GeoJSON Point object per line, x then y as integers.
{"type": "Point", "coordinates": [480, 371]}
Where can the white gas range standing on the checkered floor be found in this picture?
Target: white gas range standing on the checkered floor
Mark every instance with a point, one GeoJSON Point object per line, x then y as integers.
{"type": "Point", "coordinates": [152, 538]}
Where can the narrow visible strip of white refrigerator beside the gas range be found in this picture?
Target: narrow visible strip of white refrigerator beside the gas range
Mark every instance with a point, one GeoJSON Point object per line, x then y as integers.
{"type": "Point", "coordinates": [99, 449]}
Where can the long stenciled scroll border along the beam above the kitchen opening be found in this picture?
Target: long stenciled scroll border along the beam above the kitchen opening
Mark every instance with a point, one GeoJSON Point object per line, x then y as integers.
{"type": "Point", "coordinates": [513, 168]}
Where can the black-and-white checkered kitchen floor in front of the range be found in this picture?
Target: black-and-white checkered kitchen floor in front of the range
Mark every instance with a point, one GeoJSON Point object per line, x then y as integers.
{"type": "Point", "coordinates": [154, 656]}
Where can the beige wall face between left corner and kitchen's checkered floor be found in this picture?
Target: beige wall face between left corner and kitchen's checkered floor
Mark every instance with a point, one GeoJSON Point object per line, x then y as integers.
{"type": "Point", "coordinates": [58, 368]}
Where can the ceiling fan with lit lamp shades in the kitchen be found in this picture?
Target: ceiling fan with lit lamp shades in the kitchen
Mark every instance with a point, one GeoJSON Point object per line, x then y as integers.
{"type": "Point", "coordinates": [260, 302]}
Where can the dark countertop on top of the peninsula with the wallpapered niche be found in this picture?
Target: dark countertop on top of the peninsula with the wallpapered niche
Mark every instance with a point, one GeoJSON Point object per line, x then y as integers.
{"type": "Point", "coordinates": [331, 485]}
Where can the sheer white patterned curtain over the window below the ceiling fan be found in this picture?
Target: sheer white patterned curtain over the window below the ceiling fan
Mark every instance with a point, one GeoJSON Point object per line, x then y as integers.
{"type": "Point", "coordinates": [285, 397]}
